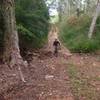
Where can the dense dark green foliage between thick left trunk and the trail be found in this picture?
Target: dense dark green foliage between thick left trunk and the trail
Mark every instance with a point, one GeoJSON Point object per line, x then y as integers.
{"type": "Point", "coordinates": [32, 21]}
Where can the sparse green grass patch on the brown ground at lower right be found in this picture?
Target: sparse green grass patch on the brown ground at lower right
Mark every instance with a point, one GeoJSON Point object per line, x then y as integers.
{"type": "Point", "coordinates": [81, 88]}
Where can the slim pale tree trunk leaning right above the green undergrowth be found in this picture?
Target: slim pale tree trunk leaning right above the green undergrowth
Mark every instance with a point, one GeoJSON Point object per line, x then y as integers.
{"type": "Point", "coordinates": [96, 14]}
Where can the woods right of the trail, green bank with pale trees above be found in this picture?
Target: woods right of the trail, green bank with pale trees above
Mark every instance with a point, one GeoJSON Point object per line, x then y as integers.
{"type": "Point", "coordinates": [80, 23]}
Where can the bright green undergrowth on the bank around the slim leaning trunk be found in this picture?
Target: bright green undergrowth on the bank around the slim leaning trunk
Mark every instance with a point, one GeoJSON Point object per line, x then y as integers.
{"type": "Point", "coordinates": [74, 34]}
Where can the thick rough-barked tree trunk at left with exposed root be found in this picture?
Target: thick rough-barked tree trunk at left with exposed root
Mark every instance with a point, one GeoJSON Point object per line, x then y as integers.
{"type": "Point", "coordinates": [12, 53]}
